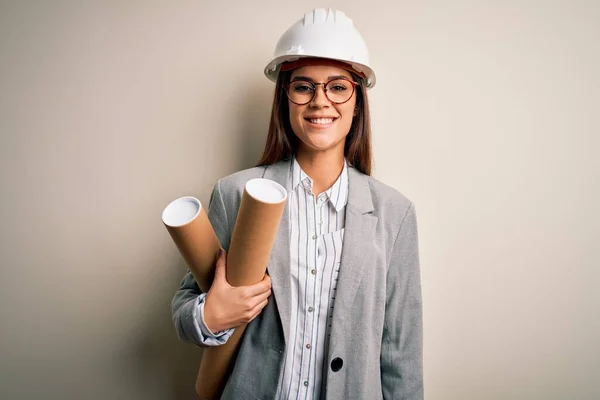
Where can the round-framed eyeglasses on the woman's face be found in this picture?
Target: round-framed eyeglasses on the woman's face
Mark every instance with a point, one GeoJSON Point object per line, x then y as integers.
{"type": "Point", "coordinates": [337, 91]}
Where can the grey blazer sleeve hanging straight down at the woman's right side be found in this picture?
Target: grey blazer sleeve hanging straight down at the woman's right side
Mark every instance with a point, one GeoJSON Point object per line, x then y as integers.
{"type": "Point", "coordinates": [402, 344]}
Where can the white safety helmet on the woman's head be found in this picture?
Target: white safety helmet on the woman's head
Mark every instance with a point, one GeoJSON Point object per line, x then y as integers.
{"type": "Point", "coordinates": [323, 33]}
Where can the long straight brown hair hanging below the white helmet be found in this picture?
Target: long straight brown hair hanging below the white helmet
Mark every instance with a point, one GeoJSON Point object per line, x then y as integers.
{"type": "Point", "coordinates": [282, 143]}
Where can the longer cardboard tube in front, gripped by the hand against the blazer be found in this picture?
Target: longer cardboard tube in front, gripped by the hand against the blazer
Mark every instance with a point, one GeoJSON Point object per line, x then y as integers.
{"type": "Point", "coordinates": [261, 209]}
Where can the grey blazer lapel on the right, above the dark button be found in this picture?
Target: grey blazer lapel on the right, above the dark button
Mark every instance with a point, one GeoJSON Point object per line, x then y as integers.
{"type": "Point", "coordinates": [357, 248]}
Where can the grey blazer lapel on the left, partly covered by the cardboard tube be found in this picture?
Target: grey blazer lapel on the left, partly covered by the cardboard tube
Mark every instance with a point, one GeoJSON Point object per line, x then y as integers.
{"type": "Point", "coordinates": [279, 263]}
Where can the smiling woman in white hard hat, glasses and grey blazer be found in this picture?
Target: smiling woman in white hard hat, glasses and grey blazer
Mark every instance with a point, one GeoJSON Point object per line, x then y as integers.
{"type": "Point", "coordinates": [339, 314]}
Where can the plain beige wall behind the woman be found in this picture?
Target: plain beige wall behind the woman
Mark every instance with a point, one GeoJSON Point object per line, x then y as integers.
{"type": "Point", "coordinates": [485, 115]}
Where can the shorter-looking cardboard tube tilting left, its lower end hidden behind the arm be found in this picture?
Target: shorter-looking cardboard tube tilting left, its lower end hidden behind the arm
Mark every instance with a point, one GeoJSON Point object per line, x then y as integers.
{"type": "Point", "coordinates": [194, 236]}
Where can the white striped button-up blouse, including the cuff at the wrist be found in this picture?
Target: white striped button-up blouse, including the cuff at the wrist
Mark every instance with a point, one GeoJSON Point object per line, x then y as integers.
{"type": "Point", "coordinates": [316, 236]}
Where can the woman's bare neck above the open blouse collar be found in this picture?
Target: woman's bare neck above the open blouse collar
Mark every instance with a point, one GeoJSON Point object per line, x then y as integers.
{"type": "Point", "coordinates": [324, 168]}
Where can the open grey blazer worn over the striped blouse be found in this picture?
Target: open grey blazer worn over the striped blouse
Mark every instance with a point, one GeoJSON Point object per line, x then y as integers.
{"type": "Point", "coordinates": [376, 330]}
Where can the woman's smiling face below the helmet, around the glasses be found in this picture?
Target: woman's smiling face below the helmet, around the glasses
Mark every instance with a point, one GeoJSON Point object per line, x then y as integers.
{"type": "Point", "coordinates": [322, 125]}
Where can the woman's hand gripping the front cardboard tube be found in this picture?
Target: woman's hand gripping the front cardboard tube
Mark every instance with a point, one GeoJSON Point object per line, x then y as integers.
{"type": "Point", "coordinates": [227, 306]}
